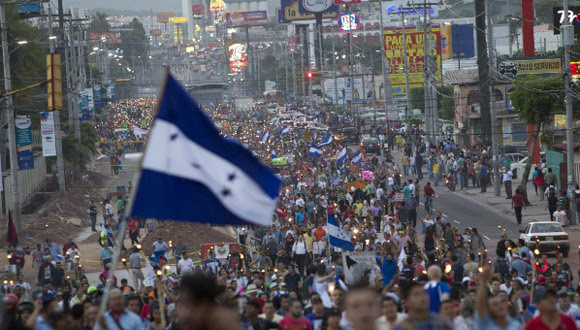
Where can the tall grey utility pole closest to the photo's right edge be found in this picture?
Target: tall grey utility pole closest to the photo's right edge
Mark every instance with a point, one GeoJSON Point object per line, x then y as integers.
{"type": "Point", "coordinates": [567, 41]}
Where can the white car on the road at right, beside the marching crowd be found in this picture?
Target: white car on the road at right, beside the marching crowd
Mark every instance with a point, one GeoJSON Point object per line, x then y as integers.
{"type": "Point", "coordinates": [547, 236]}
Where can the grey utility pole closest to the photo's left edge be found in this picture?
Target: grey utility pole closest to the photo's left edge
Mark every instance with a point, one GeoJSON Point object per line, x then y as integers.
{"type": "Point", "coordinates": [10, 122]}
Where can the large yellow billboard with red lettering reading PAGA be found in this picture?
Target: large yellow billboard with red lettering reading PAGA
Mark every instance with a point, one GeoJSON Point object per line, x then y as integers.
{"type": "Point", "coordinates": [393, 44]}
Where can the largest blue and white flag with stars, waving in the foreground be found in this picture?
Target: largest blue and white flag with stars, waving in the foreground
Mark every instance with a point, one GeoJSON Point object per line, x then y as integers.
{"type": "Point", "coordinates": [190, 173]}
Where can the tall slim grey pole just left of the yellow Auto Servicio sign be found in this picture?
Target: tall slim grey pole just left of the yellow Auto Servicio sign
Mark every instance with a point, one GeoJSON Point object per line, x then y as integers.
{"type": "Point", "coordinates": [492, 111]}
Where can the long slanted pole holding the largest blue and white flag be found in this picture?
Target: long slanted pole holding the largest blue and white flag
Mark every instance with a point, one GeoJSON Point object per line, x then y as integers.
{"type": "Point", "coordinates": [128, 211]}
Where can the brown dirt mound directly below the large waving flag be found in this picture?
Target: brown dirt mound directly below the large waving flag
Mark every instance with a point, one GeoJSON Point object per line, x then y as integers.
{"type": "Point", "coordinates": [191, 234]}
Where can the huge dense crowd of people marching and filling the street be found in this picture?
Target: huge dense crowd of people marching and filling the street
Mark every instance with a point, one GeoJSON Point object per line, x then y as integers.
{"type": "Point", "coordinates": [425, 272]}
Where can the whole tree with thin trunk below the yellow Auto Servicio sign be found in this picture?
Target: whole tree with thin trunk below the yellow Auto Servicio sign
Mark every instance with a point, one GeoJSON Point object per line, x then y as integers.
{"type": "Point", "coordinates": [535, 100]}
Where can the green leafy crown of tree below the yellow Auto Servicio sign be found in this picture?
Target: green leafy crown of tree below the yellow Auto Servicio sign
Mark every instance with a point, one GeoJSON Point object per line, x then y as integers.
{"type": "Point", "coordinates": [536, 99]}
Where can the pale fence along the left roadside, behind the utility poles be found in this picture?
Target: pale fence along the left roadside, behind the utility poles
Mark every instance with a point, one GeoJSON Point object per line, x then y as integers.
{"type": "Point", "coordinates": [29, 181]}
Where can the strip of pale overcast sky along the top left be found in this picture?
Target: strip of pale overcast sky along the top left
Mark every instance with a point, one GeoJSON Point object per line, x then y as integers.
{"type": "Point", "coordinates": [146, 5]}
